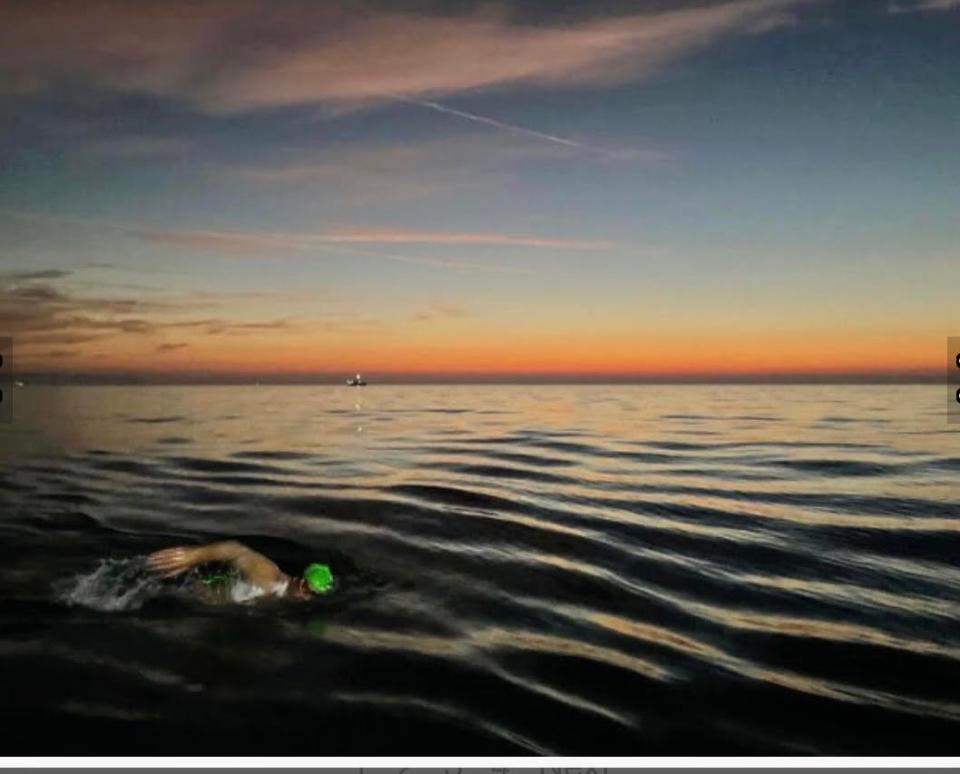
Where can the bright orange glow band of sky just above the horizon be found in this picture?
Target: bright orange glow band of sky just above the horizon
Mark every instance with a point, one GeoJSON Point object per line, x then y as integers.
{"type": "Point", "coordinates": [585, 354]}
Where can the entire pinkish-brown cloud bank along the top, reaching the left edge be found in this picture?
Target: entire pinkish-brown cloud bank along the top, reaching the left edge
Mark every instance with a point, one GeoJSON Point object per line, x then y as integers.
{"type": "Point", "coordinates": [239, 55]}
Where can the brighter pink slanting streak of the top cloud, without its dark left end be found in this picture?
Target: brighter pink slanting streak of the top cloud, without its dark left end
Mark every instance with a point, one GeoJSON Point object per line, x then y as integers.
{"type": "Point", "coordinates": [372, 56]}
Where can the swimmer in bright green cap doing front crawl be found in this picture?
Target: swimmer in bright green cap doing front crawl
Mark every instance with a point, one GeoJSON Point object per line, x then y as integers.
{"type": "Point", "coordinates": [262, 576]}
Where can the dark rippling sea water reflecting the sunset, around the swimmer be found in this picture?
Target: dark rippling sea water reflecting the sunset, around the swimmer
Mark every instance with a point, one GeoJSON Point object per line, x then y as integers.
{"type": "Point", "coordinates": [569, 570]}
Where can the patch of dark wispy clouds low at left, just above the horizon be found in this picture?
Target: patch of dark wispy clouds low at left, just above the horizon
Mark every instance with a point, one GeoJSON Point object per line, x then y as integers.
{"type": "Point", "coordinates": [57, 328]}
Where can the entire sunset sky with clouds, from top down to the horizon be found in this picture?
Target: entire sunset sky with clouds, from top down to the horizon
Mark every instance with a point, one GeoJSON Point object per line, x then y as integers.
{"type": "Point", "coordinates": [536, 188]}
